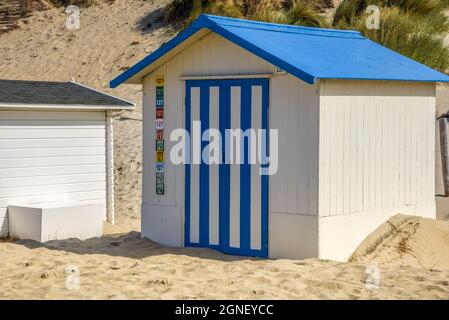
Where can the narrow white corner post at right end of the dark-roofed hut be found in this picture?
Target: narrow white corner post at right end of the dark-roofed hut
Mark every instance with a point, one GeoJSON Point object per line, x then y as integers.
{"type": "Point", "coordinates": [110, 214]}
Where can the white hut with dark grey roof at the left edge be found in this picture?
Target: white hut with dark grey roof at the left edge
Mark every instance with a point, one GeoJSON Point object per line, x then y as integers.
{"type": "Point", "coordinates": [56, 159]}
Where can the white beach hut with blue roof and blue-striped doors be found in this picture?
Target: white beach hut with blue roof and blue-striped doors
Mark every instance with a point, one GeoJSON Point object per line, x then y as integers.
{"type": "Point", "coordinates": [355, 142]}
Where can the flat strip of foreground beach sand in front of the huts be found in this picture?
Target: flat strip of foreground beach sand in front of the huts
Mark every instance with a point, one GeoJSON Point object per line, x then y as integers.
{"type": "Point", "coordinates": [127, 267]}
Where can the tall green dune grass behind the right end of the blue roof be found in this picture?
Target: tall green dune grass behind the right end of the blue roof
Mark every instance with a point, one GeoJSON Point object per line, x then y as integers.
{"type": "Point", "coordinates": [414, 28]}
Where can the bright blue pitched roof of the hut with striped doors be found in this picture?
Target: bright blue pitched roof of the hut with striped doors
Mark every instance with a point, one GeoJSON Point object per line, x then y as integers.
{"type": "Point", "coordinates": [307, 53]}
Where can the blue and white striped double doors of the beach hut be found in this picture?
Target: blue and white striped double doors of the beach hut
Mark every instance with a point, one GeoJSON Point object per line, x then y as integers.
{"type": "Point", "coordinates": [226, 204]}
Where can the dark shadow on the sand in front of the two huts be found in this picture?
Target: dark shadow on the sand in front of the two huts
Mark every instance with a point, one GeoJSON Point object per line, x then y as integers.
{"type": "Point", "coordinates": [129, 245]}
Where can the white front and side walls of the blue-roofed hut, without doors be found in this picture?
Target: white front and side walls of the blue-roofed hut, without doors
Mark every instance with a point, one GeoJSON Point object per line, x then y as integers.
{"type": "Point", "coordinates": [351, 153]}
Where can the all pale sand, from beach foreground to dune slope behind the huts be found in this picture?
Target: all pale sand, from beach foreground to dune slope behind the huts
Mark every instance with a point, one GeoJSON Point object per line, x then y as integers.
{"type": "Point", "coordinates": [121, 265]}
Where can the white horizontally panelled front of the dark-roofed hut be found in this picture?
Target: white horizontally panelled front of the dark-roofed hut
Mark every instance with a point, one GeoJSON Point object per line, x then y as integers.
{"type": "Point", "coordinates": [51, 158]}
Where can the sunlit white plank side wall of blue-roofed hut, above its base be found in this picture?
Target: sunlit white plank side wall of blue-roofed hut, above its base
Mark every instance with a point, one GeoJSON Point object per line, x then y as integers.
{"type": "Point", "coordinates": [377, 146]}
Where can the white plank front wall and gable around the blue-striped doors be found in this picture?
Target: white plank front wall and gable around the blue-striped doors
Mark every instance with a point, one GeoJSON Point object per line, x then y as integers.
{"type": "Point", "coordinates": [293, 110]}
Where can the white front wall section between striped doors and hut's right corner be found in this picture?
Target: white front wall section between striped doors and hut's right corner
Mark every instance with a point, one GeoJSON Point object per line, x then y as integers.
{"type": "Point", "coordinates": [294, 111]}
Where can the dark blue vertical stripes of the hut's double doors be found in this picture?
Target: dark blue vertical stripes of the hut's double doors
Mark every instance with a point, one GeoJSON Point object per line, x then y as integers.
{"type": "Point", "coordinates": [224, 169]}
